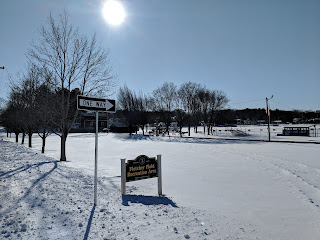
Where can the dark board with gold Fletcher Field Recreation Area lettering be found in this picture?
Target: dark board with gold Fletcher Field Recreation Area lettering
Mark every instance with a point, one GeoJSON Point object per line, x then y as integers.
{"type": "Point", "coordinates": [140, 168]}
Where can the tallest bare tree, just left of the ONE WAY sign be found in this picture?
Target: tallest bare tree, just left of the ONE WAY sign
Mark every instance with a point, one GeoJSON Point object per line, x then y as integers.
{"type": "Point", "coordinates": [76, 63]}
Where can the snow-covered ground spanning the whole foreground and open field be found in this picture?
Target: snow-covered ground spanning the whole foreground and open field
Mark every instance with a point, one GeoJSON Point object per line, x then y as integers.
{"type": "Point", "coordinates": [214, 189]}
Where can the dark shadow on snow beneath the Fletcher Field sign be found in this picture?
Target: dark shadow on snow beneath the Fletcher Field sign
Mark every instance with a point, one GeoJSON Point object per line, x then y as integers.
{"type": "Point", "coordinates": [147, 200]}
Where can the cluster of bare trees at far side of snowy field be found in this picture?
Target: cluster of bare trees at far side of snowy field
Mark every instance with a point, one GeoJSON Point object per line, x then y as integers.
{"type": "Point", "coordinates": [189, 105]}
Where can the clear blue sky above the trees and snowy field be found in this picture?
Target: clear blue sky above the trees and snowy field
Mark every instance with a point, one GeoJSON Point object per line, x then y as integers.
{"type": "Point", "coordinates": [251, 49]}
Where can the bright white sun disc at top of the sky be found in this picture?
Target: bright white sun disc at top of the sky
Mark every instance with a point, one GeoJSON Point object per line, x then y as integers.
{"type": "Point", "coordinates": [113, 12]}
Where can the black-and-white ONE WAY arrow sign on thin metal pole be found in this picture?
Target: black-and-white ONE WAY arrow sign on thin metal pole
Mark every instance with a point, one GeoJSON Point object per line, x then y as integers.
{"type": "Point", "coordinates": [96, 104]}
